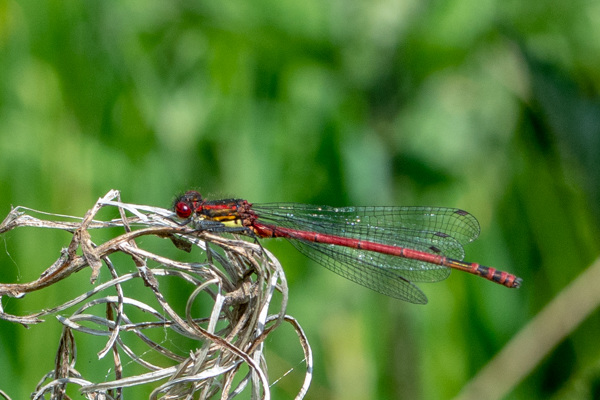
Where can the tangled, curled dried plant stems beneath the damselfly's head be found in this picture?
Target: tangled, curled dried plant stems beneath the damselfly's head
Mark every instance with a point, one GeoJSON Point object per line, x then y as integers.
{"type": "Point", "coordinates": [239, 276]}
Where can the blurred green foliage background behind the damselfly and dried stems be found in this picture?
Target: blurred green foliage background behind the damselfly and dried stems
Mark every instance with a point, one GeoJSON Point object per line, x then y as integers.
{"type": "Point", "coordinates": [491, 106]}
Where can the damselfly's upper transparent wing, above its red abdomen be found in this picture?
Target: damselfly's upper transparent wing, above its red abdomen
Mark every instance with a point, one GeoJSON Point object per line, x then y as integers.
{"type": "Point", "coordinates": [431, 229]}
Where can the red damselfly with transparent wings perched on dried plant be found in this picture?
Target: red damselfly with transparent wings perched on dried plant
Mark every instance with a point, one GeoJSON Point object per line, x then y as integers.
{"type": "Point", "coordinates": [383, 248]}
